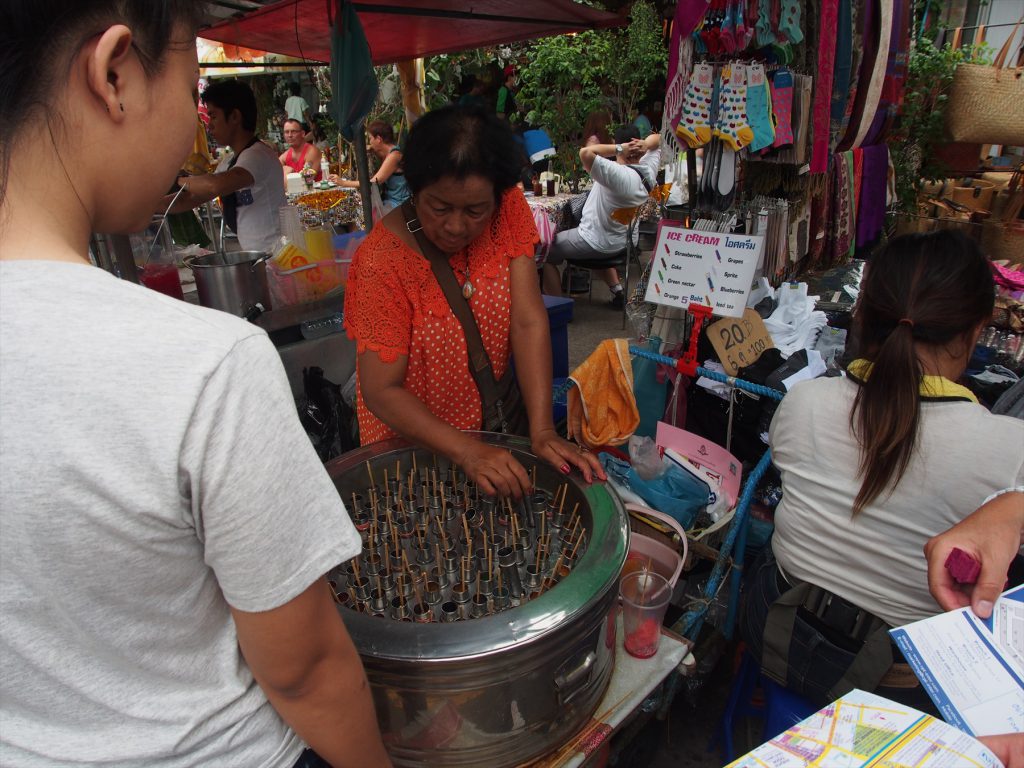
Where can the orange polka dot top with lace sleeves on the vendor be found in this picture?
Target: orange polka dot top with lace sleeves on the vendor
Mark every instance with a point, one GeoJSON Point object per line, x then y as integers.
{"type": "Point", "coordinates": [394, 307]}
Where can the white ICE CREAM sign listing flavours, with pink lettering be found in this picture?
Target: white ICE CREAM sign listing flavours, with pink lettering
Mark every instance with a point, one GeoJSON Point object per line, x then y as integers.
{"type": "Point", "coordinates": [711, 269]}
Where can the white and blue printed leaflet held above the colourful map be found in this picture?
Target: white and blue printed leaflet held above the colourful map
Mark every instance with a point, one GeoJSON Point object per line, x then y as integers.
{"type": "Point", "coordinates": [972, 669]}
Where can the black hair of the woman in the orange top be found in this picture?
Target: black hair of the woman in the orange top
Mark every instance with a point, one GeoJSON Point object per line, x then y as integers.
{"type": "Point", "coordinates": [462, 142]}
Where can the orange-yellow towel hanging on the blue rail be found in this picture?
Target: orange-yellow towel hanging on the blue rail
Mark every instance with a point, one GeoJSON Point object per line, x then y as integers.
{"type": "Point", "coordinates": [603, 399]}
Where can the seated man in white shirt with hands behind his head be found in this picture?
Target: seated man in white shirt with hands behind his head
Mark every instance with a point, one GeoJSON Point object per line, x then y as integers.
{"type": "Point", "coordinates": [621, 184]}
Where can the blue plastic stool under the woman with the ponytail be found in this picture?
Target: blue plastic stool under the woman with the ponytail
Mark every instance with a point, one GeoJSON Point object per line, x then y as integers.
{"type": "Point", "coordinates": [781, 709]}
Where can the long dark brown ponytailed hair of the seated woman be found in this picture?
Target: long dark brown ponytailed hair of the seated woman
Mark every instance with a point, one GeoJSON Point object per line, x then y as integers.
{"type": "Point", "coordinates": [923, 291]}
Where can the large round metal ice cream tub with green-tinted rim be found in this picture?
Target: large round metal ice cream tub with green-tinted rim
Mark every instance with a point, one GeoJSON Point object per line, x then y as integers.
{"type": "Point", "coordinates": [502, 690]}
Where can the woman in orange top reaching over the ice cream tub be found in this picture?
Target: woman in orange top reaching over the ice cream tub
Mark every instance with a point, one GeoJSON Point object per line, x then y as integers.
{"type": "Point", "coordinates": [413, 370]}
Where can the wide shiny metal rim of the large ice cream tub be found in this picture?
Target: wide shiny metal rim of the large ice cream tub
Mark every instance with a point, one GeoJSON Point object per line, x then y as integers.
{"type": "Point", "coordinates": [596, 573]}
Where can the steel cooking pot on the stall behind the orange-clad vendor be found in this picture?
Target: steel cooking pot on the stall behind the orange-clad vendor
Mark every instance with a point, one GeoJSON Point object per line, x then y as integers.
{"type": "Point", "coordinates": [233, 282]}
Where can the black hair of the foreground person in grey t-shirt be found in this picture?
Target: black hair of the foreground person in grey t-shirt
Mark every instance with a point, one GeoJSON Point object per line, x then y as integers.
{"type": "Point", "coordinates": [38, 39]}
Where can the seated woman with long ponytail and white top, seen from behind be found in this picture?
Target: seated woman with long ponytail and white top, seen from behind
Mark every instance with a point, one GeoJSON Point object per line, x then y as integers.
{"type": "Point", "coordinates": [874, 464]}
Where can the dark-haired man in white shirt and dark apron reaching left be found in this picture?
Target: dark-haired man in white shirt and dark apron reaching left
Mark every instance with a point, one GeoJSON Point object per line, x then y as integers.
{"type": "Point", "coordinates": [249, 182]}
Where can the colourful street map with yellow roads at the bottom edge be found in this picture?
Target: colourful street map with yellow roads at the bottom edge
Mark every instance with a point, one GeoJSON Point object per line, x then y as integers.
{"type": "Point", "coordinates": [863, 730]}
